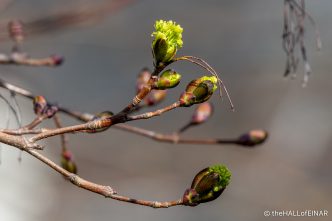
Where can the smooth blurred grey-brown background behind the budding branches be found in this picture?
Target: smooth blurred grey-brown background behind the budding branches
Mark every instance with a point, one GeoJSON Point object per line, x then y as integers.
{"type": "Point", "coordinates": [242, 40]}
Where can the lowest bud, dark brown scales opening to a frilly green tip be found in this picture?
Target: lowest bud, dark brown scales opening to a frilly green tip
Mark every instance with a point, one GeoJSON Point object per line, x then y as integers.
{"type": "Point", "coordinates": [207, 185]}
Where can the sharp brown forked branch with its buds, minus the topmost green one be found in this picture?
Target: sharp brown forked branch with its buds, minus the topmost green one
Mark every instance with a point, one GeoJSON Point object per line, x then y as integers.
{"type": "Point", "coordinates": [197, 92]}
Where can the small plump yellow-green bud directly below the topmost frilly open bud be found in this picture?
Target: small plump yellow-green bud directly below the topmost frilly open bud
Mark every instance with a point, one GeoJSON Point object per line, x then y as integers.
{"type": "Point", "coordinates": [167, 79]}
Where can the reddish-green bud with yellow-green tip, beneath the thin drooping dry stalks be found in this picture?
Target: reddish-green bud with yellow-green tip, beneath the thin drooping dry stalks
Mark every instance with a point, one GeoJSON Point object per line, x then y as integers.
{"type": "Point", "coordinates": [199, 91]}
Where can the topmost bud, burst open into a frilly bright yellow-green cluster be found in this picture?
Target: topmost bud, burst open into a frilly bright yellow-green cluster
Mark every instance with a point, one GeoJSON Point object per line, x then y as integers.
{"type": "Point", "coordinates": [167, 40]}
